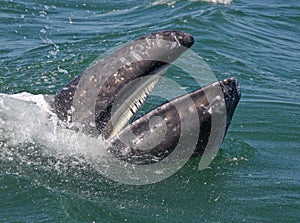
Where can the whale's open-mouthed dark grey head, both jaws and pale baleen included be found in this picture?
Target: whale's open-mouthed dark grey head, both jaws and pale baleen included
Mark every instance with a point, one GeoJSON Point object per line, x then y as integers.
{"type": "Point", "coordinates": [133, 142]}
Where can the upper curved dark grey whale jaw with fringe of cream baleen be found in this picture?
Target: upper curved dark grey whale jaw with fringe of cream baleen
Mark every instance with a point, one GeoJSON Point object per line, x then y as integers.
{"type": "Point", "coordinates": [90, 97]}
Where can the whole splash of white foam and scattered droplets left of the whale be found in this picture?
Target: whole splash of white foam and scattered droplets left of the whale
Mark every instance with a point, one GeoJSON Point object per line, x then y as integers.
{"type": "Point", "coordinates": [34, 145]}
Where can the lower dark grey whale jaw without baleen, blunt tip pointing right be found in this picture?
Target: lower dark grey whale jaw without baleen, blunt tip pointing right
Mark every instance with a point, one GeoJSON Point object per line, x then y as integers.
{"type": "Point", "coordinates": [186, 123]}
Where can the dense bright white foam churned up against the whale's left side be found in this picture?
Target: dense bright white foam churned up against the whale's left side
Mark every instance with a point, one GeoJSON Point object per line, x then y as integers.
{"type": "Point", "coordinates": [26, 117]}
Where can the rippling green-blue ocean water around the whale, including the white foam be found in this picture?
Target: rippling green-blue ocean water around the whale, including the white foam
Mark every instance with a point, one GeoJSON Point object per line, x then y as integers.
{"type": "Point", "coordinates": [44, 176]}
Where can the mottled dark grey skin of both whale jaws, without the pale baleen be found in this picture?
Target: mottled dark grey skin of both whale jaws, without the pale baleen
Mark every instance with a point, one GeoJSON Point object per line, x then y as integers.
{"type": "Point", "coordinates": [158, 57]}
